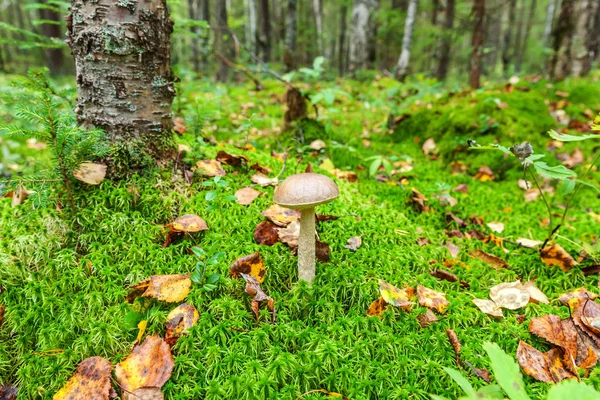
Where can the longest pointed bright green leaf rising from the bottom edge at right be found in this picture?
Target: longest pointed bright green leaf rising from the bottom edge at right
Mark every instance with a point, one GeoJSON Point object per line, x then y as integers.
{"type": "Point", "coordinates": [507, 372]}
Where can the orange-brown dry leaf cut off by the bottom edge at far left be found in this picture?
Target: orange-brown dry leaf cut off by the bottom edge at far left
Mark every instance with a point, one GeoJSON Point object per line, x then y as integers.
{"type": "Point", "coordinates": [92, 381]}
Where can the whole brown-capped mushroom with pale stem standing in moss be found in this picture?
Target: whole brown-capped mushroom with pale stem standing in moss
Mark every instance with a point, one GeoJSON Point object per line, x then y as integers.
{"type": "Point", "coordinates": [304, 192]}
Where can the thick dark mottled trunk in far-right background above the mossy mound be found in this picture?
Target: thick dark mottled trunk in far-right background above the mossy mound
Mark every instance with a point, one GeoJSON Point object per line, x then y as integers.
{"type": "Point", "coordinates": [562, 38]}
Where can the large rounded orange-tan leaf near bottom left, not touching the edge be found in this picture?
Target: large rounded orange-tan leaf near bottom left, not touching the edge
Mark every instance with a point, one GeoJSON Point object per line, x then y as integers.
{"type": "Point", "coordinates": [148, 366]}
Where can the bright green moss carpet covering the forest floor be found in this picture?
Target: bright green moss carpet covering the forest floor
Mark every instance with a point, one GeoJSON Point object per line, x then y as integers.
{"type": "Point", "coordinates": [64, 283]}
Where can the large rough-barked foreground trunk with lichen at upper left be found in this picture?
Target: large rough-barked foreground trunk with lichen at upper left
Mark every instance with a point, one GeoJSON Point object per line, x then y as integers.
{"type": "Point", "coordinates": [124, 78]}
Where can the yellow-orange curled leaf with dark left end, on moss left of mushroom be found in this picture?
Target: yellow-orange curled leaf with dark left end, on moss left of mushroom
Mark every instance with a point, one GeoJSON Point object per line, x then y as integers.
{"type": "Point", "coordinates": [168, 288]}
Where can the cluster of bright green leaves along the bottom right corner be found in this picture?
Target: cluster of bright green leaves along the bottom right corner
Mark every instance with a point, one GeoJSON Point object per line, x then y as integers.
{"type": "Point", "coordinates": [509, 378]}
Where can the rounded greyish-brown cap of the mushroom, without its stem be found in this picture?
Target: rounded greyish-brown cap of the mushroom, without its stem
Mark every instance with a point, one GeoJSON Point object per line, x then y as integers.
{"type": "Point", "coordinates": [305, 190]}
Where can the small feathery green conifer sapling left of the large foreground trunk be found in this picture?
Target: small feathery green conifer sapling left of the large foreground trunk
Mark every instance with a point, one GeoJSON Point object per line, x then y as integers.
{"type": "Point", "coordinates": [44, 117]}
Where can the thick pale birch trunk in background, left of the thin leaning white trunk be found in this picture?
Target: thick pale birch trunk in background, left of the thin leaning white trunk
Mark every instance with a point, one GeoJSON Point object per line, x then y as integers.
{"type": "Point", "coordinates": [359, 34]}
